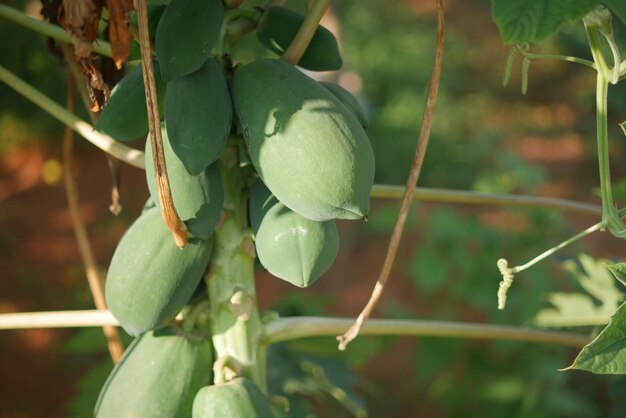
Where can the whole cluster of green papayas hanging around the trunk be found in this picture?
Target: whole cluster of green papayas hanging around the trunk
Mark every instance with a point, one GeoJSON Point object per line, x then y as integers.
{"type": "Point", "coordinates": [312, 162]}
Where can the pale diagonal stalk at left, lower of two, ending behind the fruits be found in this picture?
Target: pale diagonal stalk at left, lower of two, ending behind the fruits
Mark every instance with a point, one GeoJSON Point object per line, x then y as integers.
{"type": "Point", "coordinates": [104, 142]}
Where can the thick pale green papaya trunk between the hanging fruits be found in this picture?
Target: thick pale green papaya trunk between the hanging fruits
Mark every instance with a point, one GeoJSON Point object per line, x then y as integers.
{"type": "Point", "coordinates": [235, 323]}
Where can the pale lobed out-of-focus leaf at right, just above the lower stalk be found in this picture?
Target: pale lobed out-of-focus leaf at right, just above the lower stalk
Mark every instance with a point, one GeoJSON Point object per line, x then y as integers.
{"type": "Point", "coordinates": [581, 309]}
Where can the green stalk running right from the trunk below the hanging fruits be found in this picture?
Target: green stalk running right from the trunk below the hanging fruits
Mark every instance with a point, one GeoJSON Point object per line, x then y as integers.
{"type": "Point", "coordinates": [284, 329]}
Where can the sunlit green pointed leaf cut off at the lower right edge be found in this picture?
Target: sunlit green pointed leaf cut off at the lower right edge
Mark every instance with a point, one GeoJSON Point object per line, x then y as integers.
{"type": "Point", "coordinates": [607, 353]}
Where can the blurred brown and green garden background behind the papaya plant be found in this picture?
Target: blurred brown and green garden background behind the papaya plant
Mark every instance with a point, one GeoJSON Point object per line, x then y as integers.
{"type": "Point", "coordinates": [485, 137]}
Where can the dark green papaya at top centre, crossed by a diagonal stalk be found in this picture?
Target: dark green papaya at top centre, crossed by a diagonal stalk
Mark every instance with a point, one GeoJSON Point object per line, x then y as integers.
{"type": "Point", "coordinates": [279, 26]}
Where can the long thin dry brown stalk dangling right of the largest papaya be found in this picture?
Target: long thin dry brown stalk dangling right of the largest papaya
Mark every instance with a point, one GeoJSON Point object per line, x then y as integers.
{"type": "Point", "coordinates": [416, 166]}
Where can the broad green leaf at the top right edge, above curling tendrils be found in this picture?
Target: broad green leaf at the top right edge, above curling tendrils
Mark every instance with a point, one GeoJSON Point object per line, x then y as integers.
{"type": "Point", "coordinates": [522, 21]}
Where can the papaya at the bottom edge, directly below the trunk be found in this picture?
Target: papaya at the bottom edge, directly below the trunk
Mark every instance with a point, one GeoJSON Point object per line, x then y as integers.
{"type": "Point", "coordinates": [239, 398]}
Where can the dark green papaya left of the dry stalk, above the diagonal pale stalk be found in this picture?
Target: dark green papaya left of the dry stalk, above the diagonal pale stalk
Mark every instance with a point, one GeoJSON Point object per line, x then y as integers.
{"type": "Point", "coordinates": [125, 117]}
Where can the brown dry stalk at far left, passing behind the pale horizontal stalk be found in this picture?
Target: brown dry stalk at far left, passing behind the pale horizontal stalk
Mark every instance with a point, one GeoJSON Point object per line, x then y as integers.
{"type": "Point", "coordinates": [94, 278]}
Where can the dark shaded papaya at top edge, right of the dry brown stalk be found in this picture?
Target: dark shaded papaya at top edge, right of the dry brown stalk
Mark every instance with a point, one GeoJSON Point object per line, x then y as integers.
{"type": "Point", "coordinates": [187, 32]}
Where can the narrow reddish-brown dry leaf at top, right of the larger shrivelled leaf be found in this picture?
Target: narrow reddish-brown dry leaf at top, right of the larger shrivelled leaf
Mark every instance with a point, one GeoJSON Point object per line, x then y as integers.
{"type": "Point", "coordinates": [120, 35]}
